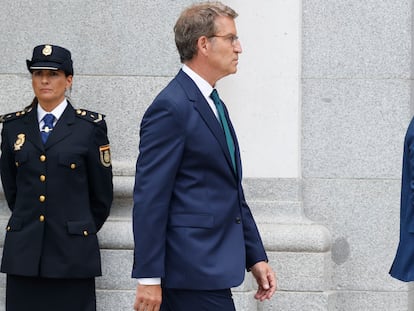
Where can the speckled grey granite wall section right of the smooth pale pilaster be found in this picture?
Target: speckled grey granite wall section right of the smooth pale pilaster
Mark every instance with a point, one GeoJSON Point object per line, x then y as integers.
{"type": "Point", "coordinates": [357, 94]}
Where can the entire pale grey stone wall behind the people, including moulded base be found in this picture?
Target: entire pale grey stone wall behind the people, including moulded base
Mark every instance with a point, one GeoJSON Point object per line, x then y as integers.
{"type": "Point", "coordinates": [328, 203]}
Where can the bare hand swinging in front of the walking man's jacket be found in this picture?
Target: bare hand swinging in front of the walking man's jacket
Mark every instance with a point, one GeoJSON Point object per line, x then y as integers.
{"type": "Point", "coordinates": [265, 278]}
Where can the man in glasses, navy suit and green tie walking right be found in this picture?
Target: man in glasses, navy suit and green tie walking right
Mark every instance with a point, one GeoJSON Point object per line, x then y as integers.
{"type": "Point", "coordinates": [194, 232]}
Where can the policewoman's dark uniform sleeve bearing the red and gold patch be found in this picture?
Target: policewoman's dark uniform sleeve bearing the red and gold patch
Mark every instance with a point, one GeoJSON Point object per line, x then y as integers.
{"type": "Point", "coordinates": [100, 175]}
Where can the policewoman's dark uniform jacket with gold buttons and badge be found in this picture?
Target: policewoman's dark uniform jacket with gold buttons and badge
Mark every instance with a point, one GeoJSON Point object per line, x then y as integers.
{"type": "Point", "coordinates": [59, 193]}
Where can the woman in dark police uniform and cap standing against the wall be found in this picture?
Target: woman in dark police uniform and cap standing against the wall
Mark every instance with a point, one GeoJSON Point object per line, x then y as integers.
{"type": "Point", "coordinates": [57, 179]}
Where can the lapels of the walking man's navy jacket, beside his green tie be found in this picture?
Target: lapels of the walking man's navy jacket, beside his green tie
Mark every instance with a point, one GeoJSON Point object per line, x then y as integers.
{"type": "Point", "coordinates": [201, 105]}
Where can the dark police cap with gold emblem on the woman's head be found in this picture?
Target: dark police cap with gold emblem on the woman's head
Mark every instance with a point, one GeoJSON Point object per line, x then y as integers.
{"type": "Point", "coordinates": [50, 57]}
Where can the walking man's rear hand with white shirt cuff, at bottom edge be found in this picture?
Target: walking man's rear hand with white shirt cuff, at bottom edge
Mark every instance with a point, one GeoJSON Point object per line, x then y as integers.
{"type": "Point", "coordinates": [148, 298]}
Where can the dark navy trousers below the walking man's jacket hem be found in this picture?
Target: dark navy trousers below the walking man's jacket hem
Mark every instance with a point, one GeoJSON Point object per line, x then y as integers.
{"type": "Point", "coordinates": [200, 300]}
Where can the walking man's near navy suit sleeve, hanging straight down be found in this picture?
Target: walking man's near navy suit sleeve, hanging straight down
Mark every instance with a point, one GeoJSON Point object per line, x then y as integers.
{"type": "Point", "coordinates": [160, 153]}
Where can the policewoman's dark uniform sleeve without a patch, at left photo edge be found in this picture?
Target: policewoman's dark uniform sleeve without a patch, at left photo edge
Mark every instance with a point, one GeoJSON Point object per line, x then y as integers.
{"type": "Point", "coordinates": [8, 169]}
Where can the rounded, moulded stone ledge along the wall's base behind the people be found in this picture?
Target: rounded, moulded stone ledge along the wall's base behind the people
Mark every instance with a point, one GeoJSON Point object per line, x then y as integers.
{"type": "Point", "coordinates": [289, 230]}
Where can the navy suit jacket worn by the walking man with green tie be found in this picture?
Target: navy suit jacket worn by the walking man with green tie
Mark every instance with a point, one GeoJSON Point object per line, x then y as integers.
{"type": "Point", "coordinates": [192, 226]}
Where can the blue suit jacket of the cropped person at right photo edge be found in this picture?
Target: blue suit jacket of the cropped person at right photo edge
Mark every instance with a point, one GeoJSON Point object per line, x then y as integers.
{"type": "Point", "coordinates": [403, 265]}
